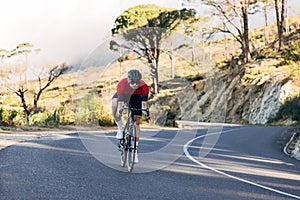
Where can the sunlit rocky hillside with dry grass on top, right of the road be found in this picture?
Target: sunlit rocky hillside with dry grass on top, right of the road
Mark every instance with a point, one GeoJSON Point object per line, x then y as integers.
{"type": "Point", "coordinates": [266, 90]}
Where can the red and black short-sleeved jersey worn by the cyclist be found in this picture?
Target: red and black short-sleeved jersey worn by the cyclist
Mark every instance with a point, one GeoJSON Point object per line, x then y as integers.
{"type": "Point", "coordinates": [125, 92]}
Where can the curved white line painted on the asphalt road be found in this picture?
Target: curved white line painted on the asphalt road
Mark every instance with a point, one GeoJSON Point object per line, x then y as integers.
{"type": "Point", "coordinates": [186, 146]}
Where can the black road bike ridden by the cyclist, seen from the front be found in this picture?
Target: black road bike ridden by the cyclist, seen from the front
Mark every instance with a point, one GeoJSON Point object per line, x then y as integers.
{"type": "Point", "coordinates": [127, 144]}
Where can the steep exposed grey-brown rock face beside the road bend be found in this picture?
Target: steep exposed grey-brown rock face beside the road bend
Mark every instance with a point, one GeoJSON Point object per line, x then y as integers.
{"type": "Point", "coordinates": [249, 94]}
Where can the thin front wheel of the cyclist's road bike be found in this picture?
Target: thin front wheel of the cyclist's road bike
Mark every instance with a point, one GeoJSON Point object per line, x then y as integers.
{"type": "Point", "coordinates": [131, 149]}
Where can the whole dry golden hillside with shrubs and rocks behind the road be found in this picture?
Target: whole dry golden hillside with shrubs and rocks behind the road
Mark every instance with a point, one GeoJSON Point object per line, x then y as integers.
{"type": "Point", "coordinates": [83, 97]}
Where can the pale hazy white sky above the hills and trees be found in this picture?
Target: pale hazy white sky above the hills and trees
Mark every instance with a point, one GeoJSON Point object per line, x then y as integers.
{"type": "Point", "coordinates": [64, 30]}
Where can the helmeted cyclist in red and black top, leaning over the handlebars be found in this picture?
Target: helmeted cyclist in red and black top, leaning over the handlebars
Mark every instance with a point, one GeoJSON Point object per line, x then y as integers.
{"type": "Point", "coordinates": [132, 91]}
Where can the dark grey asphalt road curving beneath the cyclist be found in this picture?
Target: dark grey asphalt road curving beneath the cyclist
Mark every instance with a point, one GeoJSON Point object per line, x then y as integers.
{"type": "Point", "coordinates": [239, 163]}
